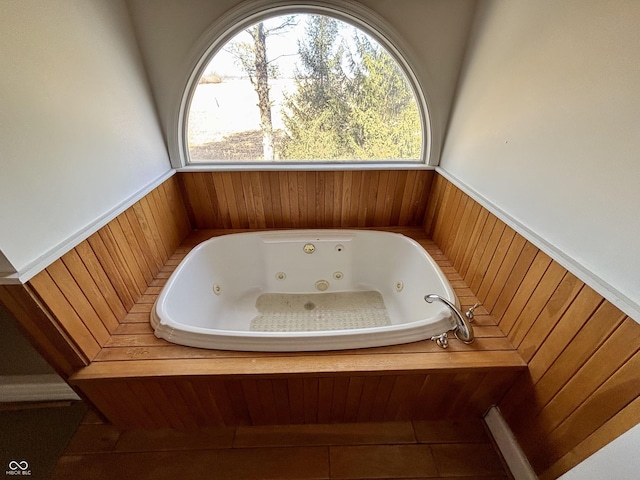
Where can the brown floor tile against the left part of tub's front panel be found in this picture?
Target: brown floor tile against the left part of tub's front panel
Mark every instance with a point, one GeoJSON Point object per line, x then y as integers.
{"type": "Point", "coordinates": [168, 439]}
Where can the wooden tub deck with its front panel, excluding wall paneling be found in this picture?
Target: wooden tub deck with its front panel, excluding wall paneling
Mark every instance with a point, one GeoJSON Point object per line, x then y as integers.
{"type": "Point", "coordinates": [134, 364]}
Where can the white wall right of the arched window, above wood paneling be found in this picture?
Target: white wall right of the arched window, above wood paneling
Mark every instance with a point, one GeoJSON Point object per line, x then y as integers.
{"type": "Point", "coordinates": [546, 130]}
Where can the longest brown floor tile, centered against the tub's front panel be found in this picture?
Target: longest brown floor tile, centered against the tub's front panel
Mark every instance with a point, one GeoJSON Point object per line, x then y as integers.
{"type": "Point", "coordinates": [336, 434]}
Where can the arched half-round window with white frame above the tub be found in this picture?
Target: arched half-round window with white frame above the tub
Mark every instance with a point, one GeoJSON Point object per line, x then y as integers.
{"type": "Point", "coordinates": [303, 83]}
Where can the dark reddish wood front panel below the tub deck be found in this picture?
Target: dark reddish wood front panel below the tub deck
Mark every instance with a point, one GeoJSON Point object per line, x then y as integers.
{"type": "Point", "coordinates": [195, 402]}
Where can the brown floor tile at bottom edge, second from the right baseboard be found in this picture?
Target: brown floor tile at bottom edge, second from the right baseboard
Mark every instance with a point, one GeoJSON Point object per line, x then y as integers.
{"type": "Point", "coordinates": [382, 461]}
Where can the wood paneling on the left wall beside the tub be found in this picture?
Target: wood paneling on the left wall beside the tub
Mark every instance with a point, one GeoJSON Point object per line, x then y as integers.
{"type": "Point", "coordinates": [71, 308]}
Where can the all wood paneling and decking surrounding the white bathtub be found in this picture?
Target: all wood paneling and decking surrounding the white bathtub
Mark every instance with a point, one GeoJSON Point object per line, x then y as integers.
{"type": "Point", "coordinates": [559, 360]}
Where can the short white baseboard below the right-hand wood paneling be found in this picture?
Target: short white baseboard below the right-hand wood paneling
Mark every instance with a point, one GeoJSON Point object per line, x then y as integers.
{"type": "Point", "coordinates": [508, 445]}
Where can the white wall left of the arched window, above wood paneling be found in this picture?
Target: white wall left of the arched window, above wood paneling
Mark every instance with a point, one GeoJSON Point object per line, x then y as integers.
{"type": "Point", "coordinates": [79, 133]}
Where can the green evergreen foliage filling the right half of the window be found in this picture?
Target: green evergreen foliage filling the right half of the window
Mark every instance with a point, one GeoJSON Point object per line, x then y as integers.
{"type": "Point", "coordinates": [369, 113]}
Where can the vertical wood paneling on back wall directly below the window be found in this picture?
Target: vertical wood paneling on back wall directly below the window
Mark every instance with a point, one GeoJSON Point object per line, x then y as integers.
{"type": "Point", "coordinates": [306, 199]}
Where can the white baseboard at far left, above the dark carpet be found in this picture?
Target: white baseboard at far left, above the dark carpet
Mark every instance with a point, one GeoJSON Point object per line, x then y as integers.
{"type": "Point", "coordinates": [34, 388]}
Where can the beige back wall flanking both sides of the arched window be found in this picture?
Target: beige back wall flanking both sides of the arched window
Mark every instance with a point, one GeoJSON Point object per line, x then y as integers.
{"type": "Point", "coordinates": [435, 31]}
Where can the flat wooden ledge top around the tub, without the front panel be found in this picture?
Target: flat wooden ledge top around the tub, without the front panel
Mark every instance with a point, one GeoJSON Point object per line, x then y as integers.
{"type": "Point", "coordinates": [134, 352]}
